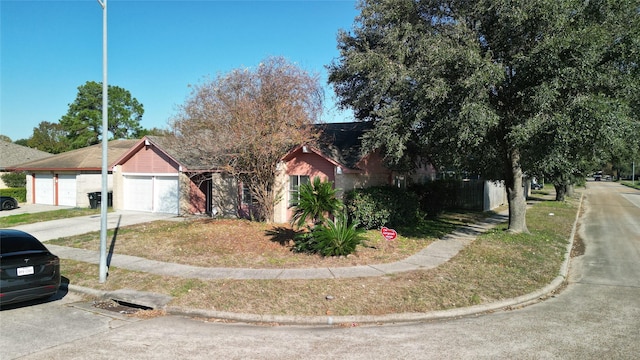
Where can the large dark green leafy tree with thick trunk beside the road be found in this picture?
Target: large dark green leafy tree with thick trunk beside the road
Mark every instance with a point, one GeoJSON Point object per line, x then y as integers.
{"type": "Point", "coordinates": [497, 86]}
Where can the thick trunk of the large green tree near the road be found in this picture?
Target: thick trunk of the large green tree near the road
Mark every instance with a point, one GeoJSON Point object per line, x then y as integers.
{"type": "Point", "coordinates": [516, 196]}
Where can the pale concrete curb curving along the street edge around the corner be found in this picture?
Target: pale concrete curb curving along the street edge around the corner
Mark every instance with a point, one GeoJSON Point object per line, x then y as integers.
{"type": "Point", "coordinates": [354, 320]}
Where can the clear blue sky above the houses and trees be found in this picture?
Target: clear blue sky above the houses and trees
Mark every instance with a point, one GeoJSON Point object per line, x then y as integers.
{"type": "Point", "coordinates": [156, 48]}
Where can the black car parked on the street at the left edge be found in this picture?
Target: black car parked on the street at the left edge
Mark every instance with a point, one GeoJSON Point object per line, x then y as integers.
{"type": "Point", "coordinates": [28, 270]}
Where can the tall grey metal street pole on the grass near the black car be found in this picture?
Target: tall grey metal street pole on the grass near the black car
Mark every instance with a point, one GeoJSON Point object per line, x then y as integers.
{"type": "Point", "coordinates": [105, 135]}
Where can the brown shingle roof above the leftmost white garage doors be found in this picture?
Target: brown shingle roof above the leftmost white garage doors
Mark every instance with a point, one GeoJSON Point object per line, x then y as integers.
{"type": "Point", "coordinates": [88, 158]}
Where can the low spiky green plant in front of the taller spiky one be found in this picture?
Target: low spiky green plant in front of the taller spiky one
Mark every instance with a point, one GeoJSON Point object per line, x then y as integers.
{"type": "Point", "coordinates": [337, 237]}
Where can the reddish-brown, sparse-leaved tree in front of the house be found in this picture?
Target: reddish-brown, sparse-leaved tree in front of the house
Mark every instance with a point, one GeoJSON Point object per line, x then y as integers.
{"type": "Point", "coordinates": [244, 121]}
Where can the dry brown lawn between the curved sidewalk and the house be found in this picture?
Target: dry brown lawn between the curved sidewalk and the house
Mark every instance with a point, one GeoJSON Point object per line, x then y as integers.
{"type": "Point", "coordinates": [242, 243]}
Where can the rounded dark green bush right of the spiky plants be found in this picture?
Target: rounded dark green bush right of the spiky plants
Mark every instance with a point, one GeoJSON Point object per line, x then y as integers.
{"type": "Point", "coordinates": [374, 207]}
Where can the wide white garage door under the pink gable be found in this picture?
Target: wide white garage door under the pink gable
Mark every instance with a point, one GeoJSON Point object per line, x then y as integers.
{"type": "Point", "coordinates": [151, 193]}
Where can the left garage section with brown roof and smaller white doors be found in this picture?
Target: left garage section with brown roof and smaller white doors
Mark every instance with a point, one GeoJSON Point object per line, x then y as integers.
{"type": "Point", "coordinates": [67, 178]}
